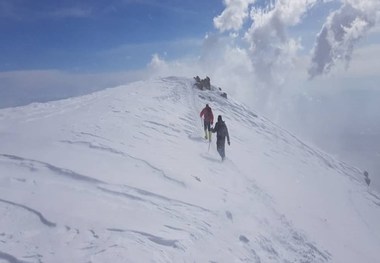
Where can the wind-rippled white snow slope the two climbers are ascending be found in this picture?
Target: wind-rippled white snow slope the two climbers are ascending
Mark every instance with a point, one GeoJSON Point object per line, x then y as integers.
{"type": "Point", "coordinates": [124, 175]}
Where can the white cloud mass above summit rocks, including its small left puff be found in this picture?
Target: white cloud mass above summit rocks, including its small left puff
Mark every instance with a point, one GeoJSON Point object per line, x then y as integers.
{"type": "Point", "coordinates": [271, 49]}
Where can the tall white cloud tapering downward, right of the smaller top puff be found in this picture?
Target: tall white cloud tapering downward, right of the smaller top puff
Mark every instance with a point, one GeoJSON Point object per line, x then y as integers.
{"type": "Point", "coordinates": [272, 50]}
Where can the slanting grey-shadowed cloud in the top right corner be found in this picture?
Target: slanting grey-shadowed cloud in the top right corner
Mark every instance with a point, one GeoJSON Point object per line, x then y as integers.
{"type": "Point", "coordinates": [339, 34]}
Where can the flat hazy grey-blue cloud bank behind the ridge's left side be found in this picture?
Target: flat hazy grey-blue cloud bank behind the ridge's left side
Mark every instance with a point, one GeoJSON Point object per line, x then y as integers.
{"type": "Point", "coordinates": [19, 88]}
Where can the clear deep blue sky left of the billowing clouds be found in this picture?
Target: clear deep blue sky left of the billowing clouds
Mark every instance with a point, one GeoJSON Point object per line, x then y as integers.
{"type": "Point", "coordinates": [99, 35]}
